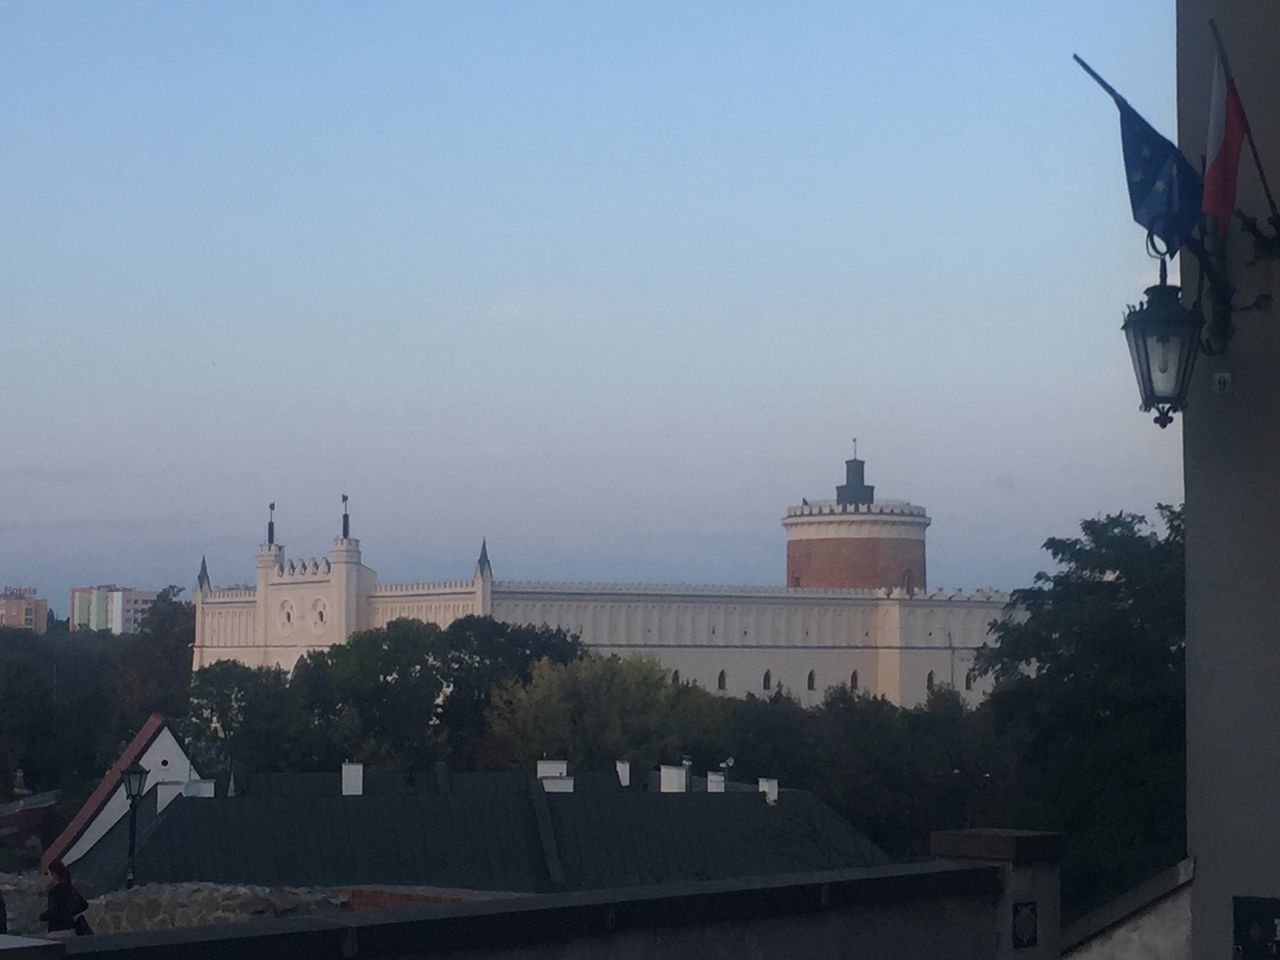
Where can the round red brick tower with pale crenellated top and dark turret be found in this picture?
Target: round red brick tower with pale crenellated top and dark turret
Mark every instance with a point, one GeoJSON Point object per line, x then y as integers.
{"type": "Point", "coordinates": [856, 543]}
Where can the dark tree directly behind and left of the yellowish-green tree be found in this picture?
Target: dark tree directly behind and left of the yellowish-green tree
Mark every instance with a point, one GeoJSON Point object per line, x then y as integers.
{"type": "Point", "coordinates": [483, 653]}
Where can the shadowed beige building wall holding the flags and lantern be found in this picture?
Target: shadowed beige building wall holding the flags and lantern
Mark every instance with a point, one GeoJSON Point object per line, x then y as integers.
{"type": "Point", "coordinates": [1232, 461]}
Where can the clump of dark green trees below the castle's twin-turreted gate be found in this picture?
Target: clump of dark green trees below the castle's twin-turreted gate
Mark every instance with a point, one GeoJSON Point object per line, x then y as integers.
{"type": "Point", "coordinates": [395, 698]}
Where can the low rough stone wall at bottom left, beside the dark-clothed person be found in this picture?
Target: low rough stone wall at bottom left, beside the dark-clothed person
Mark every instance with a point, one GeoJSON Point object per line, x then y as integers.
{"type": "Point", "coordinates": [168, 906]}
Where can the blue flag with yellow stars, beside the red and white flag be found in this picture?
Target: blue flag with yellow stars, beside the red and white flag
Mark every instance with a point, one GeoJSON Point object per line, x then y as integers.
{"type": "Point", "coordinates": [1164, 190]}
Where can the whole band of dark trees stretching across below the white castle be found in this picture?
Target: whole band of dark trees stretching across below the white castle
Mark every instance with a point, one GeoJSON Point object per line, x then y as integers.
{"type": "Point", "coordinates": [1084, 732]}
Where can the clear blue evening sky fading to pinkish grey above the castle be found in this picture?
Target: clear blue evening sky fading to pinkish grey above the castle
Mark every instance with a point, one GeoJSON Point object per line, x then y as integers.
{"type": "Point", "coordinates": [609, 285]}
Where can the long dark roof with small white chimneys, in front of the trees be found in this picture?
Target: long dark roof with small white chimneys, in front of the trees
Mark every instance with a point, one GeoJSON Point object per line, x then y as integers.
{"type": "Point", "coordinates": [487, 835]}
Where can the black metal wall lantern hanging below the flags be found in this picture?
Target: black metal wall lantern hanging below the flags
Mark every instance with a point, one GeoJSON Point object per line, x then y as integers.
{"type": "Point", "coordinates": [1164, 340]}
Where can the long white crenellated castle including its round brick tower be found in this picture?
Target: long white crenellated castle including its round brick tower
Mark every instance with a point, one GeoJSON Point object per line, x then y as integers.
{"type": "Point", "coordinates": [854, 611]}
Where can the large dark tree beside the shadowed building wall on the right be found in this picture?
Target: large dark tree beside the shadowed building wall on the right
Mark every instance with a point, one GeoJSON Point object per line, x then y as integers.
{"type": "Point", "coordinates": [1091, 693]}
